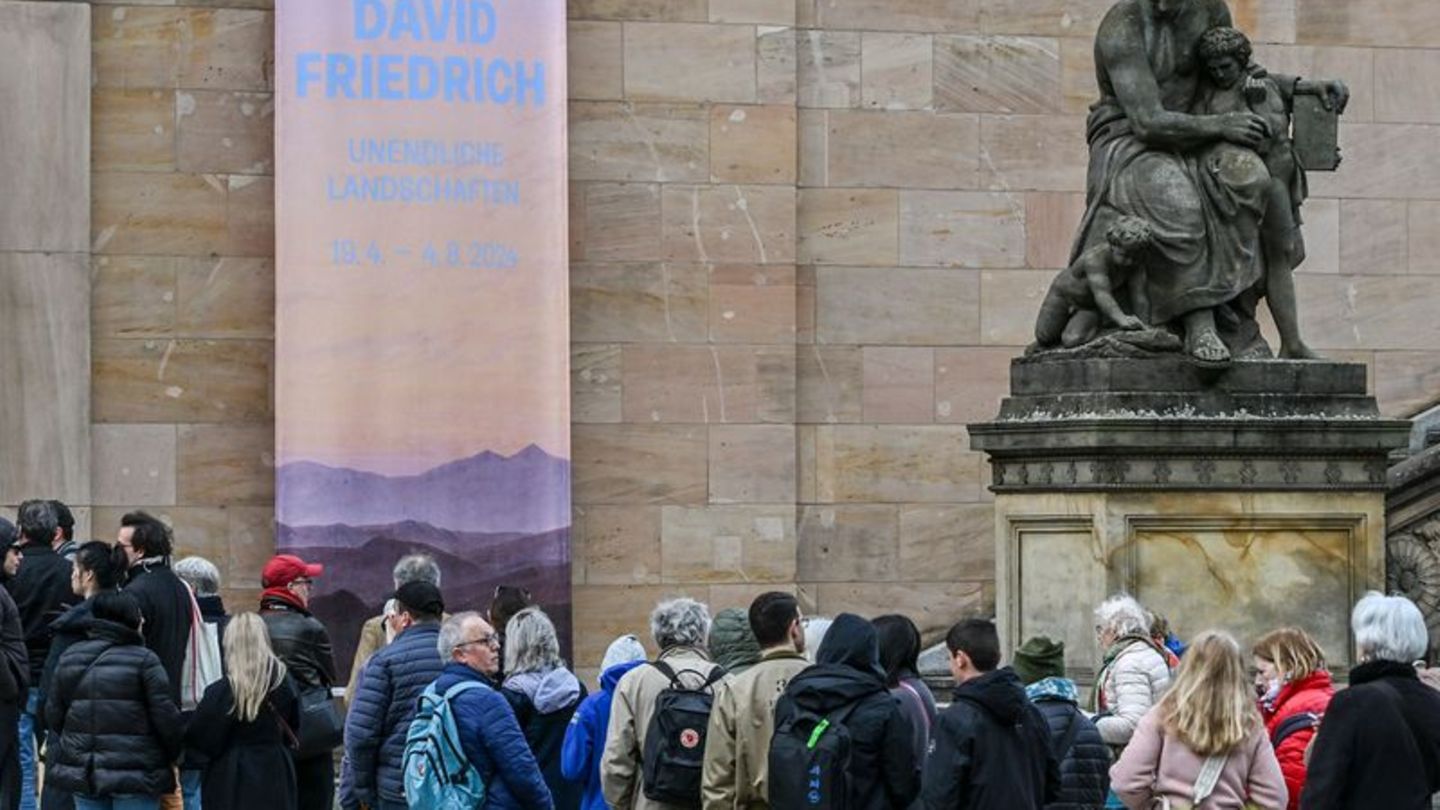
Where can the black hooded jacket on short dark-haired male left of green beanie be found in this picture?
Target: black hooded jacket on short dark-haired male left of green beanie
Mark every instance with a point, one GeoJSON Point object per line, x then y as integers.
{"type": "Point", "coordinates": [991, 750]}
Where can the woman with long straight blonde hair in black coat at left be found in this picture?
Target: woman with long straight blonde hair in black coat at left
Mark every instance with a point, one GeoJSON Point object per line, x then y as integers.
{"type": "Point", "coordinates": [244, 727]}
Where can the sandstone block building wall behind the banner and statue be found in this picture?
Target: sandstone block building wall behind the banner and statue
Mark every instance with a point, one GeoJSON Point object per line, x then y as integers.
{"type": "Point", "coordinates": [807, 237]}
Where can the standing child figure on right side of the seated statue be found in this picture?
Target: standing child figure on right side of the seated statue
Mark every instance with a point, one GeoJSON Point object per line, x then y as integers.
{"type": "Point", "coordinates": [1238, 86]}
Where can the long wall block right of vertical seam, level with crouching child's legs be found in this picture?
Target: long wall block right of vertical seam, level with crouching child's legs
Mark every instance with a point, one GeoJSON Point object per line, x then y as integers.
{"type": "Point", "coordinates": [898, 306]}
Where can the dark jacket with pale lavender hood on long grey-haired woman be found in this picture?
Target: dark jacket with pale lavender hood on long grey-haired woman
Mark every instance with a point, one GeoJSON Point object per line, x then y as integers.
{"type": "Point", "coordinates": [544, 704]}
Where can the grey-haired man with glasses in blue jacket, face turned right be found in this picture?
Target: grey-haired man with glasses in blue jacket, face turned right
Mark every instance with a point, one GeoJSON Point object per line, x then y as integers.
{"type": "Point", "coordinates": [489, 731]}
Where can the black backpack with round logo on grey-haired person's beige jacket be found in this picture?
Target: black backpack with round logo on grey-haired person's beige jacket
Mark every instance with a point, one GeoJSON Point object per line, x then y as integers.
{"type": "Point", "coordinates": [676, 739]}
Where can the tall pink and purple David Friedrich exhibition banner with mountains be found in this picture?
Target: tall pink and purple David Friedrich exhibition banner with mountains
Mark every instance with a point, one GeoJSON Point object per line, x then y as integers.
{"type": "Point", "coordinates": [423, 348]}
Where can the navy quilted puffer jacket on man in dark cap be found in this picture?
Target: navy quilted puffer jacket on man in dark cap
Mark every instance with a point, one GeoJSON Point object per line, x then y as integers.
{"type": "Point", "coordinates": [384, 708]}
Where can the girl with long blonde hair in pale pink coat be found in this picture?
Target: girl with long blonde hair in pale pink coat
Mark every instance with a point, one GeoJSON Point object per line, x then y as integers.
{"type": "Point", "coordinates": [1203, 746]}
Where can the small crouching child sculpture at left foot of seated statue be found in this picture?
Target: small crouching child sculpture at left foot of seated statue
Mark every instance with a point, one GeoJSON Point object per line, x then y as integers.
{"type": "Point", "coordinates": [1085, 292]}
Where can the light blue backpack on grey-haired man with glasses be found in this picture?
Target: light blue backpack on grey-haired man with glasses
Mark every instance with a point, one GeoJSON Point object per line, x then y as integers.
{"type": "Point", "coordinates": [438, 776]}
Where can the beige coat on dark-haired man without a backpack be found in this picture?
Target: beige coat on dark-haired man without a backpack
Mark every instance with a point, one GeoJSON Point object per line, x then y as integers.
{"type": "Point", "coordinates": [738, 744]}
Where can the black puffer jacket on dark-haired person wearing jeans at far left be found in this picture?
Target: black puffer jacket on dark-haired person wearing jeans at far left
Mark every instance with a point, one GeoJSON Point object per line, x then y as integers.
{"type": "Point", "coordinates": [120, 731]}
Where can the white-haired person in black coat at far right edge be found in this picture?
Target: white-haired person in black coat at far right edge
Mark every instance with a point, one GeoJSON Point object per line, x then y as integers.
{"type": "Point", "coordinates": [1380, 742]}
